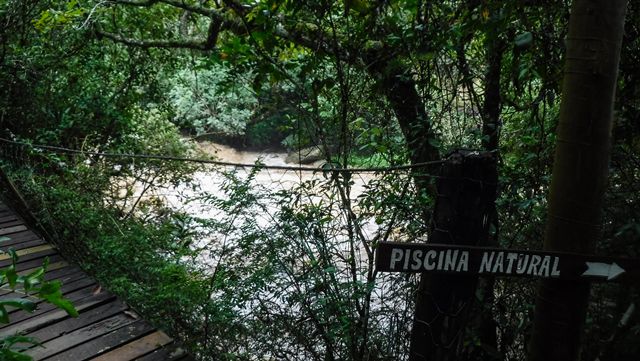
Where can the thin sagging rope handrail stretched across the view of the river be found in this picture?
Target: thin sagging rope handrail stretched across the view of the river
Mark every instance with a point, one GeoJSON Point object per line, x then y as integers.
{"type": "Point", "coordinates": [222, 163]}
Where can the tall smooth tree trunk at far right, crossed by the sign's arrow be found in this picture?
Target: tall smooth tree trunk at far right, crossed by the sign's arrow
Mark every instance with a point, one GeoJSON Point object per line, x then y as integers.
{"type": "Point", "coordinates": [580, 170]}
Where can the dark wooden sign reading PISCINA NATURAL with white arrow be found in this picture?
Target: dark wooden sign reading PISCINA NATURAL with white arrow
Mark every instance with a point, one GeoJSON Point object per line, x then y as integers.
{"type": "Point", "coordinates": [439, 258]}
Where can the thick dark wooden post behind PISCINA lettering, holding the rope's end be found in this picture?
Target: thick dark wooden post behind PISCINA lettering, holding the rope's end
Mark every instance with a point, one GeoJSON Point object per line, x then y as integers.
{"type": "Point", "coordinates": [443, 304]}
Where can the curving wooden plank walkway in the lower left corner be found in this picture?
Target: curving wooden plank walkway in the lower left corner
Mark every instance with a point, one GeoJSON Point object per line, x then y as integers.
{"type": "Point", "coordinates": [107, 329]}
